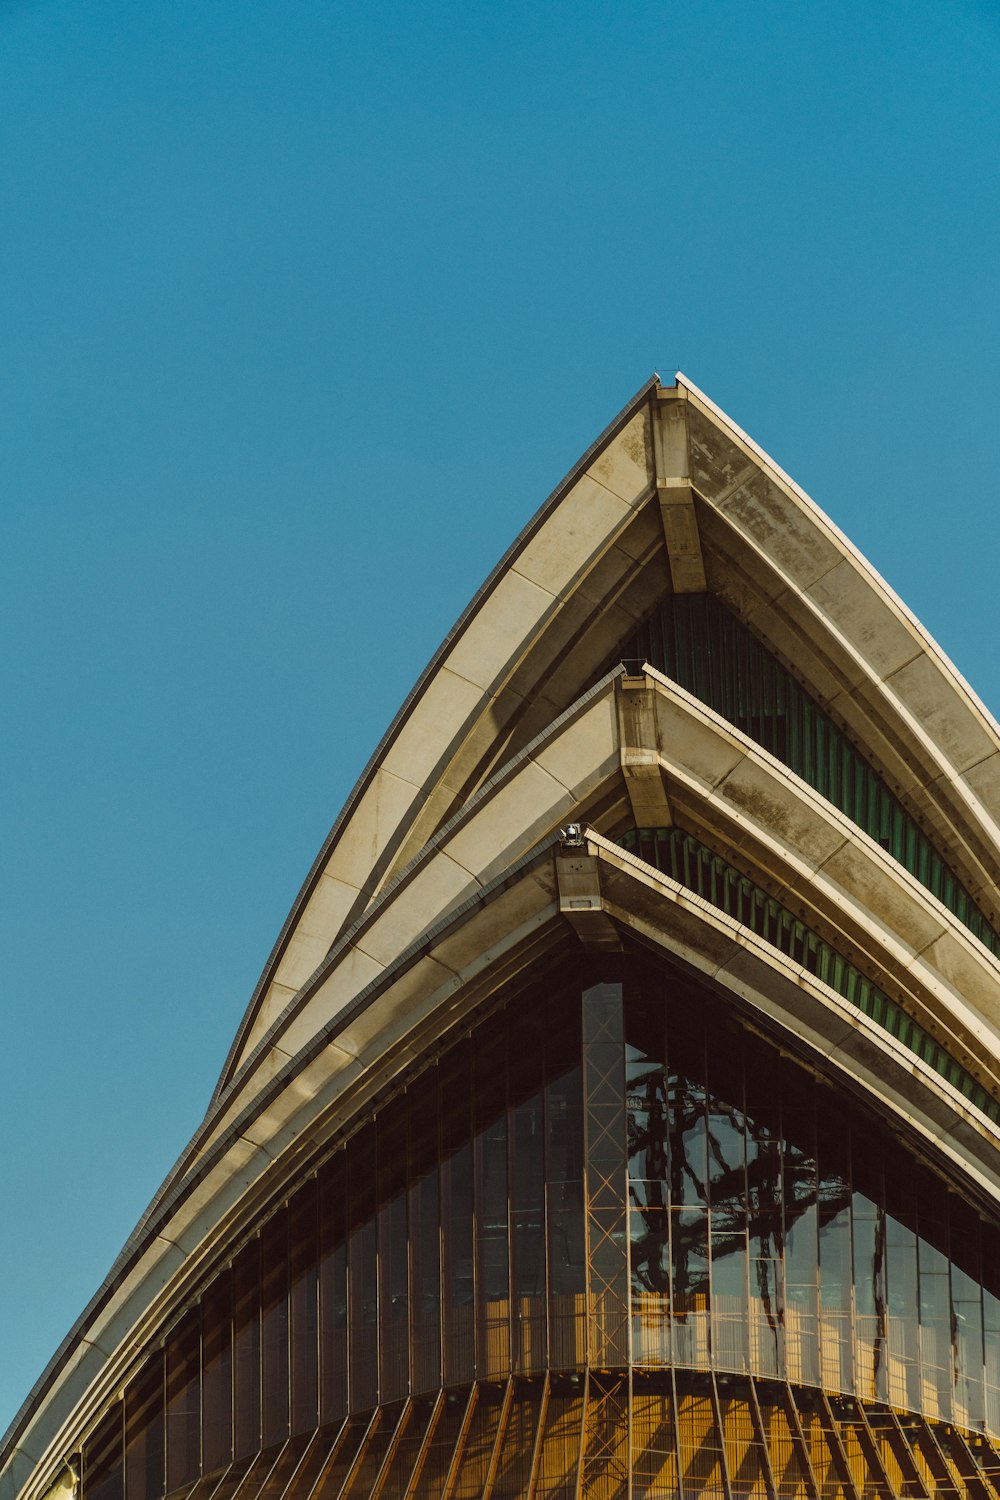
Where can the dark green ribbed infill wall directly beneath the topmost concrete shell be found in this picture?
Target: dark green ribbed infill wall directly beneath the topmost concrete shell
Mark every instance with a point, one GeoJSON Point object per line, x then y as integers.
{"type": "Point", "coordinates": [698, 643]}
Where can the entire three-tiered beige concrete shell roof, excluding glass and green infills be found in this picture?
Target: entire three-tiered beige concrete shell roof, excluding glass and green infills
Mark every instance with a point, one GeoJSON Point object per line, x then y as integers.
{"type": "Point", "coordinates": [446, 875]}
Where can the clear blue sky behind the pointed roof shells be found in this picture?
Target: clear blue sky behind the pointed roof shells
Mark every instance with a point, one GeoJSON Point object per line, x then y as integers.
{"type": "Point", "coordinates": [305, 310]}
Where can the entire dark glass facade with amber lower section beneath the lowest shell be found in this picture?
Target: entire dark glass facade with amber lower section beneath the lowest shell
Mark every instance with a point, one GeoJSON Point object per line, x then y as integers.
{"type": "Point", "coordinates": [611, 1243]}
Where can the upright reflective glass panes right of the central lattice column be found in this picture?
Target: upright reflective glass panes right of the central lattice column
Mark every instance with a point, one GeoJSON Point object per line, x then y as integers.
{"type": "Point", "coordinates": [777, 1231]}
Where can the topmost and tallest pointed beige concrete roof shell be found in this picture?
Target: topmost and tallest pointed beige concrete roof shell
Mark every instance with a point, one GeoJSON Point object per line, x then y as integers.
{"type": "Point", "coordinates": [671, 481]}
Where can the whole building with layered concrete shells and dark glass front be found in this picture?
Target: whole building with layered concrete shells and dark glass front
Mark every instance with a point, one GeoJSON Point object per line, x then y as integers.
{"type": "Point", "coordinates": [618, 1112]}
